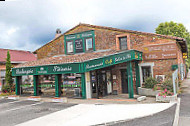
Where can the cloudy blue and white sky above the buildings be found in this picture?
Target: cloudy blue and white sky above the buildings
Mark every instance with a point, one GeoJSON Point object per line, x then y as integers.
{"type": "Point", "coordinates": [29, 24]}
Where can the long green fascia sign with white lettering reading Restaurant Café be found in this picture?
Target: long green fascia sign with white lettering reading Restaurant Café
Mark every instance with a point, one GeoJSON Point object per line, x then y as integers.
{"type": "Point", "coordinates": [80, 67]}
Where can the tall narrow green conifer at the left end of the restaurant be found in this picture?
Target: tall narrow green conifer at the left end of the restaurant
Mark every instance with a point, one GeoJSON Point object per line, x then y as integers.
{"type": "Point", "coordinates": [8, 75]}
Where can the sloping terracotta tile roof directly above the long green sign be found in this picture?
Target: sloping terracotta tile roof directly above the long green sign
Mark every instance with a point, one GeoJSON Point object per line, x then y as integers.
{"type": "Point", "coordinates": [63, 59]}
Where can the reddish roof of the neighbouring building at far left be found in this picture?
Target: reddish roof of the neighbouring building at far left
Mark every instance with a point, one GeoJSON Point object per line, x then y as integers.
{"type": "Point", "coordinates": [17, 56]}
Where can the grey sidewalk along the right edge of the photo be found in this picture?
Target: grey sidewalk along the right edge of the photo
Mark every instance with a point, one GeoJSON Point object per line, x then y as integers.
{"type": "Point", "coordinates": [184, 119]}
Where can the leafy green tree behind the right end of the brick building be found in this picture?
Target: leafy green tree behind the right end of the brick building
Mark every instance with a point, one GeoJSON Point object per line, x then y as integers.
{"type": "Point", "coordinates": [175, 29]}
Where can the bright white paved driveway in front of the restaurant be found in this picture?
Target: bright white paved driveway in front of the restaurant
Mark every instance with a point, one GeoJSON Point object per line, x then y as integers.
{"type": "Point", "coordinates": [92, 114]}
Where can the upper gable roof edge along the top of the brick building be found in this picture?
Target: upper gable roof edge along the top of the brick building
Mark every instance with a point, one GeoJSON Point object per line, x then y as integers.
{"type": "Point", "coordinates": [121, 30]}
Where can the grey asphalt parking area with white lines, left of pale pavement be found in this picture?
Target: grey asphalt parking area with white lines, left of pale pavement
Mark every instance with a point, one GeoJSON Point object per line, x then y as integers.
{"type": "Point", "coordinates": [15, 112]}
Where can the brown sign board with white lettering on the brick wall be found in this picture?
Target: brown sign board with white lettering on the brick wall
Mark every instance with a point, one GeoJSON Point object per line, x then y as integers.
{"type": "Point", "coordinates": [161, 51]}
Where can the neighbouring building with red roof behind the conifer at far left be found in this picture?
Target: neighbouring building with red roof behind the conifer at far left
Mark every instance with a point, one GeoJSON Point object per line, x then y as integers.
{"type": "Point", "coordinates": [17, 57]}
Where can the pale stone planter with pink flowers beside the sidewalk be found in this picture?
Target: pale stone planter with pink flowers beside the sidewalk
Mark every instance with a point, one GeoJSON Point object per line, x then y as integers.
{"type": "Point", "coordinates": [166, 98]}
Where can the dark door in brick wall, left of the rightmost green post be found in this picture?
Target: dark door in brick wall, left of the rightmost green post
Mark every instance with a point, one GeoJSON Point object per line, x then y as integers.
{"type": "Point", "coordinates": [124, 81]}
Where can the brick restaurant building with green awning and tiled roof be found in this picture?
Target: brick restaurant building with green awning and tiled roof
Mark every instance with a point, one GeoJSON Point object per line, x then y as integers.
{"type": "Point", "coordinates": [95, 61]}
